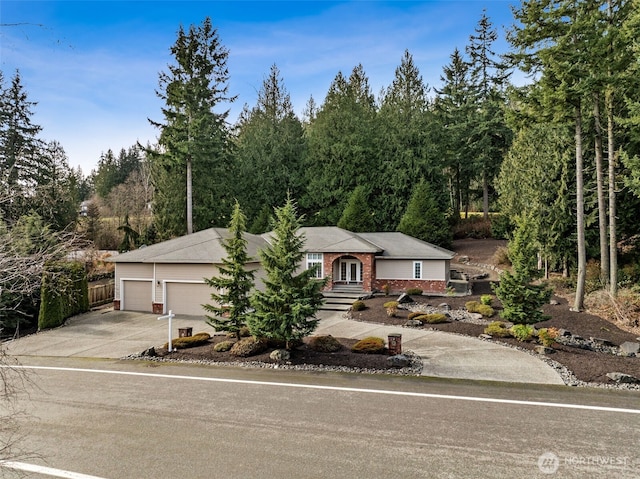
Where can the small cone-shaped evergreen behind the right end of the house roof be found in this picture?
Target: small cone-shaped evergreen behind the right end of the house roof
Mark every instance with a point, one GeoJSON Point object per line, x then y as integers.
{"type": "Point", "coordinates": [425, 218]}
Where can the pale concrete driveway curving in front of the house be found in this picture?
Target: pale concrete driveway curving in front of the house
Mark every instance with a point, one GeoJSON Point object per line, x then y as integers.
{"type": "Point", "coordinates": [114, 334]}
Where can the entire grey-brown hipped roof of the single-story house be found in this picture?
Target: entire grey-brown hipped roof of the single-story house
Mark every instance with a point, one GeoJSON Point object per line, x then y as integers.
{"type": "Point", "coordinates": [206, 247]}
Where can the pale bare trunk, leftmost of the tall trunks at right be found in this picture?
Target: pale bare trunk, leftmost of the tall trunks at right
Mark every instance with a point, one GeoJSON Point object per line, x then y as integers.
{"type": "Point", "coordinates": [582, 252]}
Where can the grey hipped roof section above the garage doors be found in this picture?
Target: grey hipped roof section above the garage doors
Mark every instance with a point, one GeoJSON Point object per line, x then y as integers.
{"type": "Point", "coordinates": [201, 247]}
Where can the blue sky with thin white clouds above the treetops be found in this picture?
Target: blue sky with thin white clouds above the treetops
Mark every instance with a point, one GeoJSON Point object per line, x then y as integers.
{"type": "Point", "coordinates": [92, 66]}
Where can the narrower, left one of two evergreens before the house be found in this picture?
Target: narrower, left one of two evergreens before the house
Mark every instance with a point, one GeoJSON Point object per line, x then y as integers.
{"type": "Point", "coordinates": [233, 284]}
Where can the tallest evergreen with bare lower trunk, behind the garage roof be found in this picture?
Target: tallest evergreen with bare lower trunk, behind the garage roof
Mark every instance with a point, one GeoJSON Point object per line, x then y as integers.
{"type": "Point", "coordinates": [194, 140]}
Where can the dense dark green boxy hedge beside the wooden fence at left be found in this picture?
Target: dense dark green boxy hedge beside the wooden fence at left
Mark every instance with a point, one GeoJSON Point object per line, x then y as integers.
{"type": "Point", "coordinates": [64, 293]}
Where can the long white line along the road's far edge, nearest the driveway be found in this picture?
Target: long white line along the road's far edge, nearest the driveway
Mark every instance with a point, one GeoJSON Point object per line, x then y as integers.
{"type": "Point", "coordinates": [338, 388]}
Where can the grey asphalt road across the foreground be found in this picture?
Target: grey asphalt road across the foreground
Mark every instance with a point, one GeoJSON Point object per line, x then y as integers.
{"type": "Point", "coordinates": [124, 420]}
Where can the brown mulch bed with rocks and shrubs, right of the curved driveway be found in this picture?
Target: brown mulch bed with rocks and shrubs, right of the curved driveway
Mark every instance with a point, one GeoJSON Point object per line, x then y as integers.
{"type": "Point", "coordinates": [588, 366]}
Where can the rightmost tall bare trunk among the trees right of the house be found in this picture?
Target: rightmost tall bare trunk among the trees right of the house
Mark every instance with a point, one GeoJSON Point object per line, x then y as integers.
{"type": "Point", "coordinates": [613, 241]}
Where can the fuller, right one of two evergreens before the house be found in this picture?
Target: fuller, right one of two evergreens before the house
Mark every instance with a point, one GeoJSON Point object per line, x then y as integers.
{"type": "Point", "coordinates": [286, 309]}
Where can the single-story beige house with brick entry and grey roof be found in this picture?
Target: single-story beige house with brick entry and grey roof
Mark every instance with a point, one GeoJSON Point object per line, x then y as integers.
{"type": "Point", "coordinates": [170, 275]}
